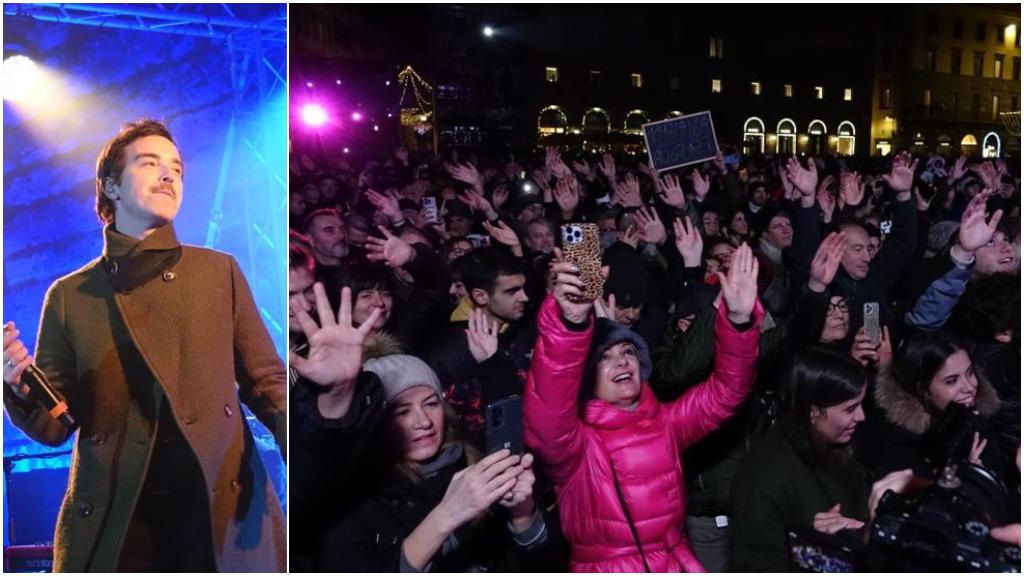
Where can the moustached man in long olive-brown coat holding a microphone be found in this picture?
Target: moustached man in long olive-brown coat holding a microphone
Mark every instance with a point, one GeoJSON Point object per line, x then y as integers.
{"type": "Point", "coordinates": [152, 346]}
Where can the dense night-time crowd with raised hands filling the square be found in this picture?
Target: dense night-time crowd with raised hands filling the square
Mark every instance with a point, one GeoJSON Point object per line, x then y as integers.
{"type": "Point", "coordinates": [776, 343]}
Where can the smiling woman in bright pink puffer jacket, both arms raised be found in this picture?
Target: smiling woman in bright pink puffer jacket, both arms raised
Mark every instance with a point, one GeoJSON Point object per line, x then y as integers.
{"type": "Point", "coordinates": [590, 418]}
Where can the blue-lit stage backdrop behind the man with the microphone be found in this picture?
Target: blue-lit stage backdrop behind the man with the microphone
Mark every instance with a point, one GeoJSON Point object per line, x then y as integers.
{"type": "Point", "coordinates": [222, 91]}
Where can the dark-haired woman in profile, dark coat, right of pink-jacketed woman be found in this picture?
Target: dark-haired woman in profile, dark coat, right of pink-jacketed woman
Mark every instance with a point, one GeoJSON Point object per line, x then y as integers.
{"type": "Point", "coordinates": [802, 474]}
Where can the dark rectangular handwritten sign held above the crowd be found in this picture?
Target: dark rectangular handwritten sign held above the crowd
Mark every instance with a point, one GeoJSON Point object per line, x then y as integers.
{"type": "Point", "coordinates": [680, 142]}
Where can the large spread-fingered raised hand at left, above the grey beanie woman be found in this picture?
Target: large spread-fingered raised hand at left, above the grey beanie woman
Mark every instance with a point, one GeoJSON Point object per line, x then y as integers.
{"type": "Point", "coordinates": [335, 347]}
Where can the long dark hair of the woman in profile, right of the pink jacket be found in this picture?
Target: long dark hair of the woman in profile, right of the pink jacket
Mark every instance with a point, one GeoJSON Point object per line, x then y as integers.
{"type": "Point", "coordinates": [818, 378]}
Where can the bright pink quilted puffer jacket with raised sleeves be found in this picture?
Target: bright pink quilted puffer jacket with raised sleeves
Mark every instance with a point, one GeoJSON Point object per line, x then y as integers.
{"type": "Point", "coordinates": [645, 445]}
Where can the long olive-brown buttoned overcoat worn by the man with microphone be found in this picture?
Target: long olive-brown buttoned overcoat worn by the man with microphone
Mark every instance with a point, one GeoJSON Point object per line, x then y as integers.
{"type": "Point", "coordinates": [191, 338]}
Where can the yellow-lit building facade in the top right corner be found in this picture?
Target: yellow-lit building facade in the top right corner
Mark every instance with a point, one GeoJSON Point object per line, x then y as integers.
{"type": "Point", "coordinates": [948, 87]}
